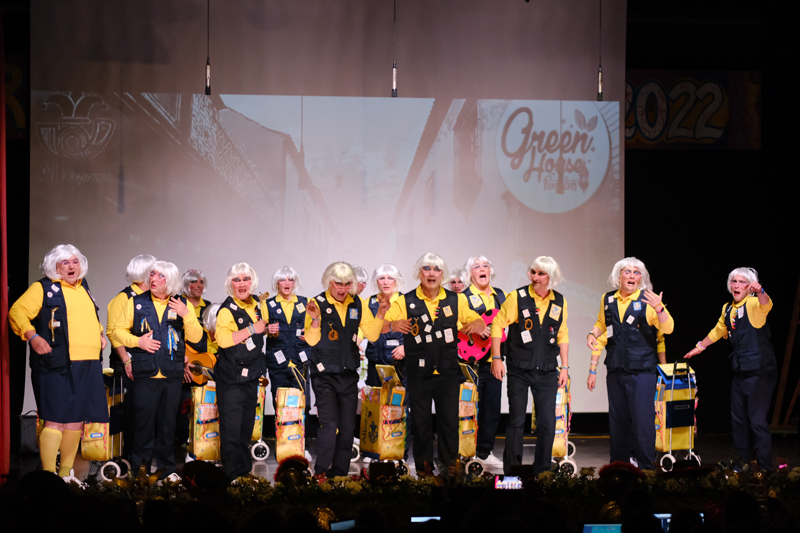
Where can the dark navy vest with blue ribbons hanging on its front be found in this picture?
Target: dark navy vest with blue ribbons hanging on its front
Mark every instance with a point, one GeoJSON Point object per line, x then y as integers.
{"type": "Point", "coordinates": [169, 331]}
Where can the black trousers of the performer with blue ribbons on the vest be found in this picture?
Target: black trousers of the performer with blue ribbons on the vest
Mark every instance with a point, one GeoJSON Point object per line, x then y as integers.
{"type": "Point", "coordinates": [156, 403]}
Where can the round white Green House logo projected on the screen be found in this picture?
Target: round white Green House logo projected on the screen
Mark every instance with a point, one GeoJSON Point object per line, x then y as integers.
{"type": "Point", "coordinates": [553, 155]}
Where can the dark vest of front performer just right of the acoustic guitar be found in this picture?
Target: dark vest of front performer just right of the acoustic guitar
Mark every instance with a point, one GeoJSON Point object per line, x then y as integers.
{"type": "Point", "coordinates": [237, 363]}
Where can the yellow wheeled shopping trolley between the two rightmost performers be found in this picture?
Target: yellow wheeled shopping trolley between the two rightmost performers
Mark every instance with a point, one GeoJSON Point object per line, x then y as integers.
{"type": "Point", "coordinates": [675, 403]}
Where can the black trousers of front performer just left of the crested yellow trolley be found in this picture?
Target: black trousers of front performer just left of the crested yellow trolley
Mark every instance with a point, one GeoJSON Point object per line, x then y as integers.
{"type": "Point", "coordinates": [337, 399]}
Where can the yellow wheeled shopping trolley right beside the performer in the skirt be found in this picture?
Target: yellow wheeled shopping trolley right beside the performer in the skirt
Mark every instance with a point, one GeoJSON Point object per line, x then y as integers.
{"type": "Point", "coordinates": [102, 442]}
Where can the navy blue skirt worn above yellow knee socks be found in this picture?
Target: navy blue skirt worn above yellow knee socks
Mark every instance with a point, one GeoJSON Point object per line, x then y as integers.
{"type": "Point", "coordinates": [78, 395]}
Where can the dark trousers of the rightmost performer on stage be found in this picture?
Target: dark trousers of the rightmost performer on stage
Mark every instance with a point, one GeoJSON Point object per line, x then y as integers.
{"type": "Point", "coordinates": [750, 397]}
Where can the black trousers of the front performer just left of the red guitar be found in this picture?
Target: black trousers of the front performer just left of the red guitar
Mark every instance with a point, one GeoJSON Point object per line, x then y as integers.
{"type": "Point", "coordinates": [443, 391]}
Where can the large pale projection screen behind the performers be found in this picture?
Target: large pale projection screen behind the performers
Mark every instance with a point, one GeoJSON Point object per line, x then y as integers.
{"type": "Point", "coordinates": [496, 145]}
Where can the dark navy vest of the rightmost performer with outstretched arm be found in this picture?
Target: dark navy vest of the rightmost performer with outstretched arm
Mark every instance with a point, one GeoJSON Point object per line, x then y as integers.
{"type": "Point", "coordinates": [752, 347]}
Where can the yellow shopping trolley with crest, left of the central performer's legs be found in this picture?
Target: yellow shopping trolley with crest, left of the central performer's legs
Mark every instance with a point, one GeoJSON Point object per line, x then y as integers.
{"type": "Point", "coordinates": [383, 419]}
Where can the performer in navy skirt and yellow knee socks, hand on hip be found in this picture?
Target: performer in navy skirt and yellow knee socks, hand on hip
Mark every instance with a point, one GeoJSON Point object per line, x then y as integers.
{"type": "Point", "coordinates": [57, 316]}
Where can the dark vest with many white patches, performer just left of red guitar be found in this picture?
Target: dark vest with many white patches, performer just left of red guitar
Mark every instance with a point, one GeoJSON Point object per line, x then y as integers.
{"type": "Point", "coordinates": [427, 347]}
